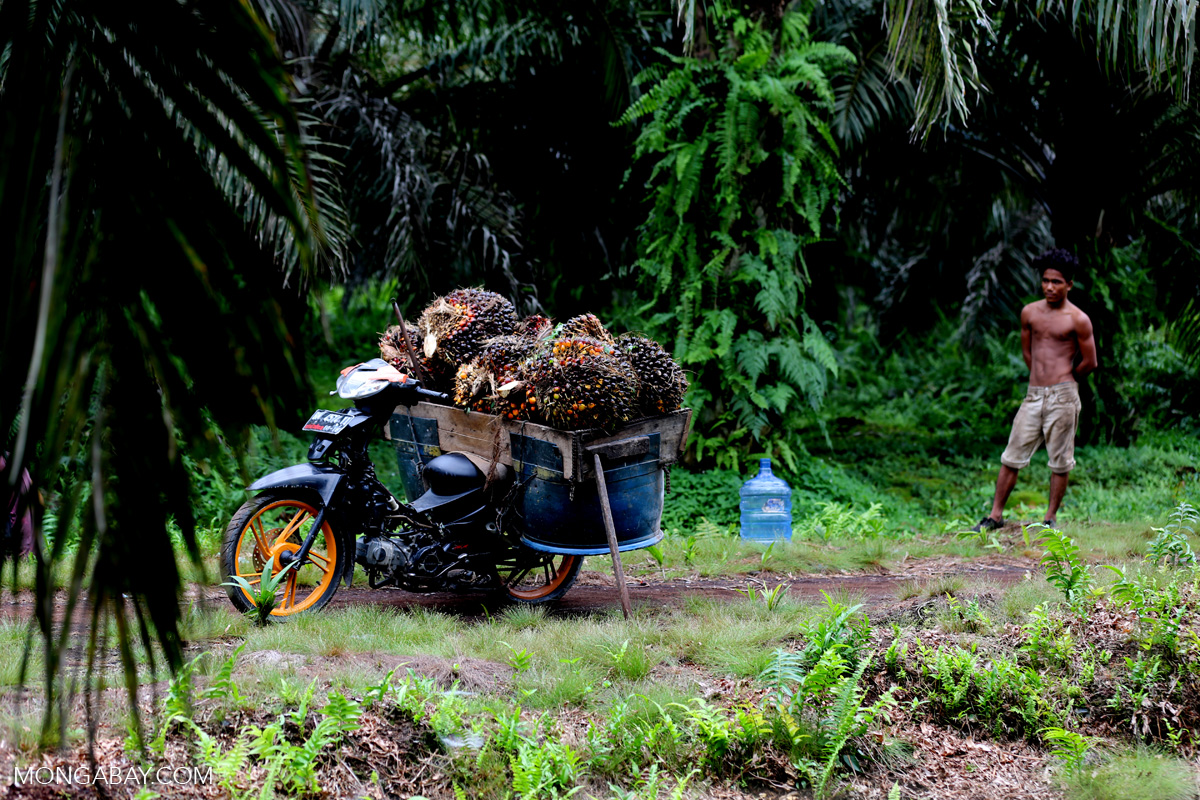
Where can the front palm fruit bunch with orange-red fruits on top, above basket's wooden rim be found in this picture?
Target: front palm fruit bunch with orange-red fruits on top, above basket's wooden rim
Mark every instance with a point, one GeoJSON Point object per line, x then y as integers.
{"type": "Point", "coordinates": [581, 383]}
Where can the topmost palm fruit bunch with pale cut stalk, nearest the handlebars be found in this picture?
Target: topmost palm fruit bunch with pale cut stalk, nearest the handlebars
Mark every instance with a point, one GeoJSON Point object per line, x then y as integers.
{"type": "Point", "coordinates": [454, 328]}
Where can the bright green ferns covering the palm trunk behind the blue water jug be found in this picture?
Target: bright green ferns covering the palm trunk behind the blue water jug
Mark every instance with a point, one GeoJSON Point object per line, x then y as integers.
{"type": "Point", "coordinates": [743, 173]}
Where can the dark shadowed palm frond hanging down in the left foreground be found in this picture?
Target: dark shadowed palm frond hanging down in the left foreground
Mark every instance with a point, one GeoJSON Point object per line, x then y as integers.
{"type": "Point", "coordinates": [140, 305]}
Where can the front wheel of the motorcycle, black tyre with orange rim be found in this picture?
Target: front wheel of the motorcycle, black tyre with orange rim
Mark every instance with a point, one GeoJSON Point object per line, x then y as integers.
{"type": "Point", "coordinates": [260, 534]}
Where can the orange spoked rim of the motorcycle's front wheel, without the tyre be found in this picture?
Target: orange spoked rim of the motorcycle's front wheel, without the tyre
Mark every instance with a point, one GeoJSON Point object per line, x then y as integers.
{"type": "Point", "coordinates": [279, 528]}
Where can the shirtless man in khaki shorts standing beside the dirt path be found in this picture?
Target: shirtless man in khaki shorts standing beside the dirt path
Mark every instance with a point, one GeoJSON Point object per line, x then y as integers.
{"type": "Point", "coordinates": [1059, 348]}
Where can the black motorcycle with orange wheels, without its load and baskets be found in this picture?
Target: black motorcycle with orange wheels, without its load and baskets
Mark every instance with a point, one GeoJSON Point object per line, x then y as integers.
{"type": "Point", "coordinates": [321, 519]}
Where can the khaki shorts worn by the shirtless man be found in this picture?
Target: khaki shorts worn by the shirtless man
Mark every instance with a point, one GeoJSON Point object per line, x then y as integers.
{"type": "Point", "coordinates": [1049, 416]}
